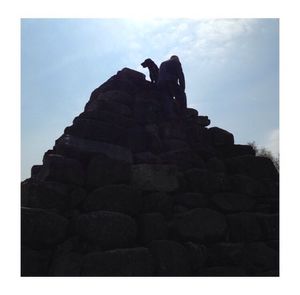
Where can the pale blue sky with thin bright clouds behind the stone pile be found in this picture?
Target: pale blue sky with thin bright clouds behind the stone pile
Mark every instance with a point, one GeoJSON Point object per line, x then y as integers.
{"type": "Point", "coordinates": [231, 68]}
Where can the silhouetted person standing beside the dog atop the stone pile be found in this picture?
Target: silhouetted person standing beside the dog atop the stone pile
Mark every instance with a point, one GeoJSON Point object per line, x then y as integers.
{"type": "Point", "coordinates": [171, 81]}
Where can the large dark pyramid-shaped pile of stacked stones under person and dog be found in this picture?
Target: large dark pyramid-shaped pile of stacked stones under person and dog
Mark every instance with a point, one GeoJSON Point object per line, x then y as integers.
{"type": "Point", "coordinates": [126, 192]}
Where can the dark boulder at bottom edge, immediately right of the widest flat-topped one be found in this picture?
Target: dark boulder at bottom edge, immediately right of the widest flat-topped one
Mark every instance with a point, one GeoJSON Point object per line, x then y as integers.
{"type": "Point", "coordinates": [170, 258]}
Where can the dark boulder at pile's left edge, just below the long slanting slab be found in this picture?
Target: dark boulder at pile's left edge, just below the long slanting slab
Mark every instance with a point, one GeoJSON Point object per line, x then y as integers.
{"type": "Point", "coordinates": [61, 169]}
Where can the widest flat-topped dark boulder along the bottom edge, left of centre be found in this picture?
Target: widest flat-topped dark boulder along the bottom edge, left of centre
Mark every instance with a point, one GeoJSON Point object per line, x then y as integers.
{"type": "Point", "coordinates": [119, 262]}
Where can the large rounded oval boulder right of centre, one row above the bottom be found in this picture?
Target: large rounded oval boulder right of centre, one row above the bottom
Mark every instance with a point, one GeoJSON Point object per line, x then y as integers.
{"type": "Point", "coordinates": [200, 225]}
